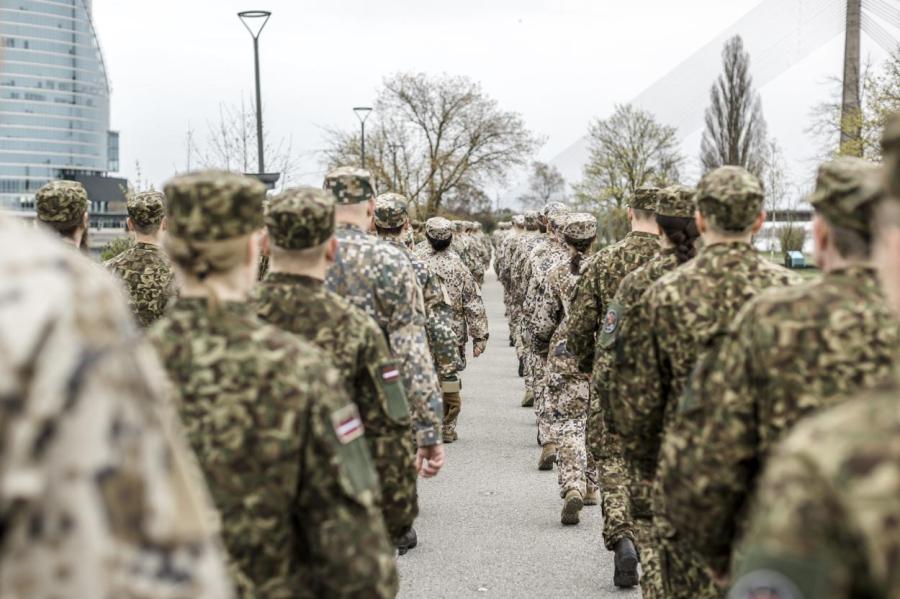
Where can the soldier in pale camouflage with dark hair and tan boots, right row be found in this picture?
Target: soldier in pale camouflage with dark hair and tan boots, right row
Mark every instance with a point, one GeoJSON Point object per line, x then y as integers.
{"type": "Point", "coordinates": [568, 388]}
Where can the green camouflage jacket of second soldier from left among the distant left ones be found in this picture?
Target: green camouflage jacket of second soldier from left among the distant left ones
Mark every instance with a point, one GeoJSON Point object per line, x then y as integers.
{"type": "Point", "coordinates": [149, 279]}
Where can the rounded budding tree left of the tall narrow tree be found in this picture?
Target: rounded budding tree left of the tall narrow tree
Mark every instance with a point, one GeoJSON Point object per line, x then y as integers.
{"type": "Point", "coordinates": [628, 150]}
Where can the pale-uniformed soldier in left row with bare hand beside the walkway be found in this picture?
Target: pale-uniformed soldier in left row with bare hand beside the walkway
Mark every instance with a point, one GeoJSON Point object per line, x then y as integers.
{"type": "Point", "coordinates": [469, 316]}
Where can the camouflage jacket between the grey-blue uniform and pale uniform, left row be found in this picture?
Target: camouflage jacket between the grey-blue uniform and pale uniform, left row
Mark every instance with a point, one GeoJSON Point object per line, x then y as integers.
{"type": "Point", "coordinates": [438, 315]}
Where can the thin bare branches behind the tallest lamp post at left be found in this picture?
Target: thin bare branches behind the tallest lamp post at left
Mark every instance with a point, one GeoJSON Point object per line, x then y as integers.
{"type": "Point", "coordinates": [230, 145]}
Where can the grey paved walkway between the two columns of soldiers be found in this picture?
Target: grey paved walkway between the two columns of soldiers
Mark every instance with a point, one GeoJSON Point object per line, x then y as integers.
{"type": "Point", "coordinates": [489, 523]}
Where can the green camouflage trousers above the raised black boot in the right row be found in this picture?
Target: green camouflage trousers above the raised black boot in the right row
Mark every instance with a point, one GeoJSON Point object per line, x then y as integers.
{"type": "Point", "coordinates": [614, 478]}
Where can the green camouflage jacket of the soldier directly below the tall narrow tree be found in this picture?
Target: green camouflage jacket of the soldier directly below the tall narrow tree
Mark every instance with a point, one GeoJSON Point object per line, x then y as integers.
{"type": "Point", "coordinates": [679, 317]}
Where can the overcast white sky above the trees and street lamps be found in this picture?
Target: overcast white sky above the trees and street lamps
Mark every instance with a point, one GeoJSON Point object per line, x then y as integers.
{"type": "Point", "coordinates": [559, 63]}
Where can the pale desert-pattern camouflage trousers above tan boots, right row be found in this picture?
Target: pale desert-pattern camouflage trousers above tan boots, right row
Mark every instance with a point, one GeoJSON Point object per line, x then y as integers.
{"type": "Point", "coordinates": [566, 408]}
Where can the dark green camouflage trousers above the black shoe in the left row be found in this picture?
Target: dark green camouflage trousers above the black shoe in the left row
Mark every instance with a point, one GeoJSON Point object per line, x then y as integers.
{"type": "Point", "coordinates": [397, 473]}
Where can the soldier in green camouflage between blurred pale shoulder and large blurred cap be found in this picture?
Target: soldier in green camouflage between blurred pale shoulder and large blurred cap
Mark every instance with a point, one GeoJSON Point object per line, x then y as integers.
{"type": "Point", "coordinates": [144, 267]}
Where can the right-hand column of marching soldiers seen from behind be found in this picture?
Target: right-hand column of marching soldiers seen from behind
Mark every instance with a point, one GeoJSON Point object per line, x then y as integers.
{"type": "Point", "coordinates": [740, 424]}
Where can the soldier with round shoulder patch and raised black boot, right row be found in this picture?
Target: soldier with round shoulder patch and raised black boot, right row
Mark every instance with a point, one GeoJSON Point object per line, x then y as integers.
{"type": "Point", "coordinates": [600, 280]}
